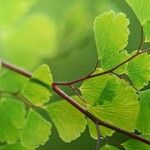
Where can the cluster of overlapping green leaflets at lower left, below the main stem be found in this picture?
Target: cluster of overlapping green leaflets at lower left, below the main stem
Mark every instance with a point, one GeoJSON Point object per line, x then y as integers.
{"type": "Point", "coordinates": [27, 125]}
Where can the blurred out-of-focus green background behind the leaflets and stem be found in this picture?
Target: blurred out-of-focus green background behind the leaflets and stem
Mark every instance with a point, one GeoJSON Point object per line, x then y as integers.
{"type": "Point", "coordinates": [59, 33]}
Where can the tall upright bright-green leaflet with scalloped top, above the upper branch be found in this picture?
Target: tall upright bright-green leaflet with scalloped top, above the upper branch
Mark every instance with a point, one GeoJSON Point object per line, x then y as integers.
{"type": "Point", "coordinates": [111, 35]}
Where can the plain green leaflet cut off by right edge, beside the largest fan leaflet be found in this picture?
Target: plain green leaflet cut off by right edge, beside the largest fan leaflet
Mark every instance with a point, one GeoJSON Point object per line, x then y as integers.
{"type": "Point", "coordinates": [144, 118]}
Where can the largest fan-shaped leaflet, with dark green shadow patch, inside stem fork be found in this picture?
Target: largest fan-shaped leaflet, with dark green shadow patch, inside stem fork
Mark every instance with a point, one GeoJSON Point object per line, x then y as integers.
{"type": "Point", "coordinates": [113, 106]}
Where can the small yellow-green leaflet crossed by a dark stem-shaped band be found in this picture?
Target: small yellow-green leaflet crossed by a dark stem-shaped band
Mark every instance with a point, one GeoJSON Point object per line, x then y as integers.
{"type": "Point", "coordinates": [38, 89]}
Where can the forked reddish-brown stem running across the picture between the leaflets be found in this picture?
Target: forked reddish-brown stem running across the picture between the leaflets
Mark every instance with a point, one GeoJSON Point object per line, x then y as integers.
{"type": "Point", "coordinates": [78, 106]}
